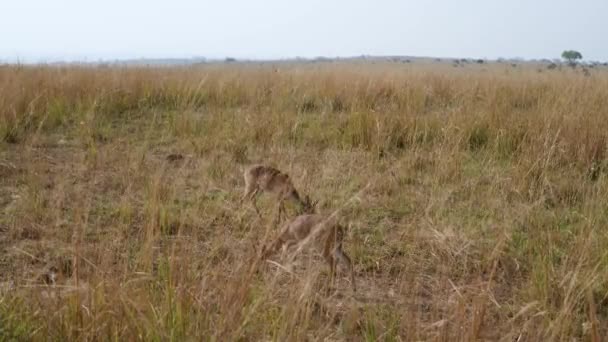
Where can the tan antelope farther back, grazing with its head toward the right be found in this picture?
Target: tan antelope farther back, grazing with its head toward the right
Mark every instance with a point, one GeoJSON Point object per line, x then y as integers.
{"type": "Point", "coordinates": [261, 178]}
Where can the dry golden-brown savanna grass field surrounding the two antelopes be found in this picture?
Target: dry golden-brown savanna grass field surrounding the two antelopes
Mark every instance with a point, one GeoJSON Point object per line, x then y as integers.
{"type": "Point", "coordinates": [475, 199]}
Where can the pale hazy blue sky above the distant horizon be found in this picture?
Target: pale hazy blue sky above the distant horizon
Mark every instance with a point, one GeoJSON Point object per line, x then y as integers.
{"type": "Point", "coordinates": [34, 30]}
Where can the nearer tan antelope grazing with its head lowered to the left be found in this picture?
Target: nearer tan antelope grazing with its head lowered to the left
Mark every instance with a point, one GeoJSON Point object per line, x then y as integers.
{"type": "Point", "coordinates": [327, 237]}
